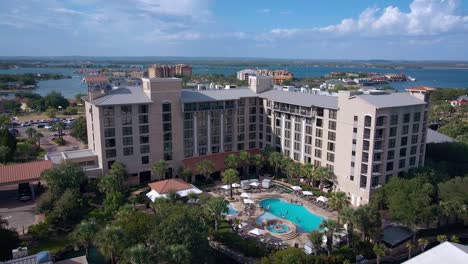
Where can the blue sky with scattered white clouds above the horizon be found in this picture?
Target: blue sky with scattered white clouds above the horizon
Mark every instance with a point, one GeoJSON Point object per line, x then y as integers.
{"type": "Point", "coordinates": [301, 29]}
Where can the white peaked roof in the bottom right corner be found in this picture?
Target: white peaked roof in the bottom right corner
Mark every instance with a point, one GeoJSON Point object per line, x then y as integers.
{"type": "Point", "coordinates": [446, 252]}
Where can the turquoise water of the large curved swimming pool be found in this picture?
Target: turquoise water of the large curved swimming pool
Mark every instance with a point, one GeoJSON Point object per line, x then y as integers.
{"type": "Point", "coordinates": [298, 214]}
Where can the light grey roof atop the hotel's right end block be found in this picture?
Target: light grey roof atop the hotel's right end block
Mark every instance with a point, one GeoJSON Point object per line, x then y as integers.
{"type": "Point", "coordinates": [387, 100]}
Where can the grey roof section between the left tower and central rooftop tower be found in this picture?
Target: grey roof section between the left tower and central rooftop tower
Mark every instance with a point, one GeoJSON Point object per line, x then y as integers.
{"type": "Point", "coordinates": [216, 95]}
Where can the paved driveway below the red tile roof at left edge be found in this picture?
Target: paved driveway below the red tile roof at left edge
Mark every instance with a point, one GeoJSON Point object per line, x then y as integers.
{"type": "Point", "coordinates": [18, 214]}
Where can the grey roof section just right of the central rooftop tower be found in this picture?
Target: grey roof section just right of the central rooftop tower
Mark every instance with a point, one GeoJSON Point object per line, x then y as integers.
{"type": "Point", "coordinates": [301, 99]}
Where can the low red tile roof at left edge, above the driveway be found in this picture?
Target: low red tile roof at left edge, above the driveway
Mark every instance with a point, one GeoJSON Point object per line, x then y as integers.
{"type": "Point", "coordinates": [23, 172]}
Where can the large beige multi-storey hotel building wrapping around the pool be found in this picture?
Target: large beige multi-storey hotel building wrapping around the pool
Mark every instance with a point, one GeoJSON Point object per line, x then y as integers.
{"type": "Point", "coordinates": [364, 139]}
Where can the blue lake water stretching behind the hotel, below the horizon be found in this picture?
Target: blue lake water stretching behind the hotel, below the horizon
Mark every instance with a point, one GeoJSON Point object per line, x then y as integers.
{"type": "Point", "coordinates": [440, 78]}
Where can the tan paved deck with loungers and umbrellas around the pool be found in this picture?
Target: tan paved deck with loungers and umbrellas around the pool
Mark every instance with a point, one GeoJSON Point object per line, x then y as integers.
{"type": "Point", "coordinates": [250, 219]}
